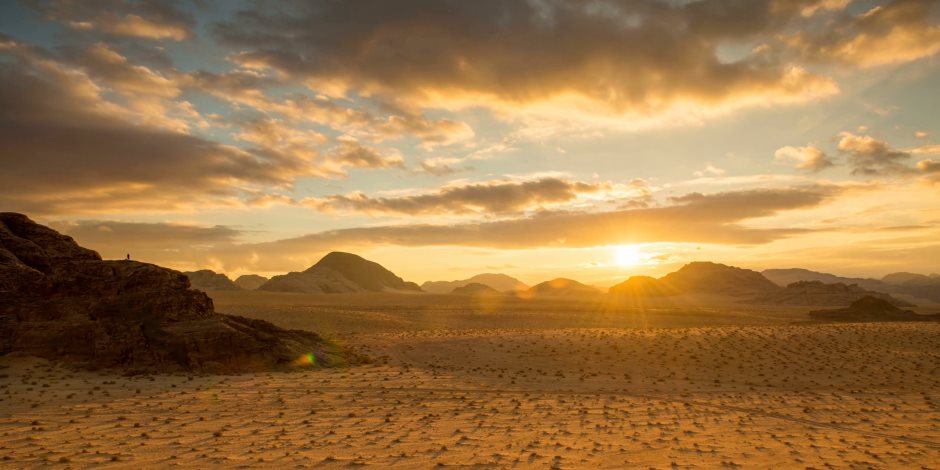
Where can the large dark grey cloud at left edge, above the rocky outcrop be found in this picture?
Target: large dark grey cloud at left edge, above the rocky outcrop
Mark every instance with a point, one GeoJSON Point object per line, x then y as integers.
{"type": "Point", "coordinates": [76, 152]}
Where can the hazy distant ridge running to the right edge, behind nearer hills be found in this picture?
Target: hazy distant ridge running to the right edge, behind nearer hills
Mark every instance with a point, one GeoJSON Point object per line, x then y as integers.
{"type": "Point", "coordinates": [914, 285]}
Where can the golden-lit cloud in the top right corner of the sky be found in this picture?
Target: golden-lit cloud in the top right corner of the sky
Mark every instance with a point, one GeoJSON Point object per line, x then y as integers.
{"type": "Point", "coordinates": [896, 32]}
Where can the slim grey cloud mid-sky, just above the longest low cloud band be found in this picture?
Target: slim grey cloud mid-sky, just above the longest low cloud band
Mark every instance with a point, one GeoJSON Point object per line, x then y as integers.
{"type": "Point", "coordinates": [491, 197]}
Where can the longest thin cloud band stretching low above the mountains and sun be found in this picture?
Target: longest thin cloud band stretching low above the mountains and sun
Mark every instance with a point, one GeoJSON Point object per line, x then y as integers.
{"type": "Point", "coordinates": [696, 218]}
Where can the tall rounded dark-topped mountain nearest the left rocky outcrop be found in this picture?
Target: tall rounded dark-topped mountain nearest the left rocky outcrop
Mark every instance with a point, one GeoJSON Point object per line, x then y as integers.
{"type": "Point", "coordinates": [339, 272]}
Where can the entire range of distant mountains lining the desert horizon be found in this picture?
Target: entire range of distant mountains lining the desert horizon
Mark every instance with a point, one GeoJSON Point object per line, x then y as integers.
{"type": "Point", "coordinates": [339, 272]}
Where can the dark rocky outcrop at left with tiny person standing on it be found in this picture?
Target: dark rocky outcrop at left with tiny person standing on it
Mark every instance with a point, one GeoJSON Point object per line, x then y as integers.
{"type": "Point", "coordinates": [61, 301]}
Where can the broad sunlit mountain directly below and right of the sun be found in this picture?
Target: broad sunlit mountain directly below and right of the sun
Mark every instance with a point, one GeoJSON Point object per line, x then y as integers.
{"type": "Point", "coordinates": [699, 278]}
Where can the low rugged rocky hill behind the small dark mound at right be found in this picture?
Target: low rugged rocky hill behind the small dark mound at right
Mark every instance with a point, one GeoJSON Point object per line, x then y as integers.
{"type": "Point", "coordinates": [822, 294]}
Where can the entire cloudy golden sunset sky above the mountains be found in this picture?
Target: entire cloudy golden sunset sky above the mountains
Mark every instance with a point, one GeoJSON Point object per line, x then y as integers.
{"type": "Point", "coordinates": [594, 140]}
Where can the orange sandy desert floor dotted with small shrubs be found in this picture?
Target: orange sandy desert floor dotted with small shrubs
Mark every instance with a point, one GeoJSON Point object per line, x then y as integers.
{"type": "Point", "coordinates": [491, 383]}
